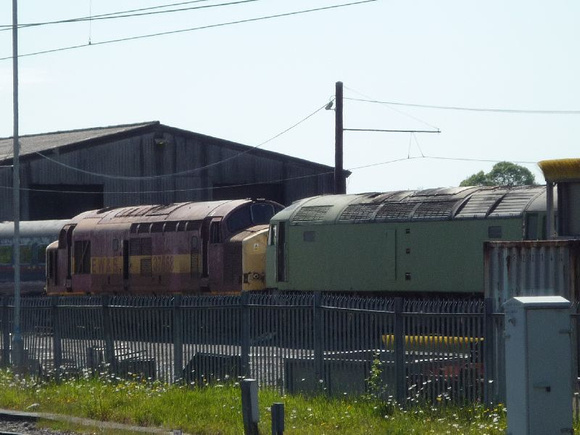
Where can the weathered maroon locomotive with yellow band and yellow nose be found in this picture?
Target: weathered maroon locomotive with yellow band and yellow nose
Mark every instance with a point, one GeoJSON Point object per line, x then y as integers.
{"type": "Point", "coordinates": [203, 247]}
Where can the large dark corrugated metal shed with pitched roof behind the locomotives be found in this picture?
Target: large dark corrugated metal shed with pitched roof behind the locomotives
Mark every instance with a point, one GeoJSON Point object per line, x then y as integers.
{"type": "Point", "coordinates": [64, 173]}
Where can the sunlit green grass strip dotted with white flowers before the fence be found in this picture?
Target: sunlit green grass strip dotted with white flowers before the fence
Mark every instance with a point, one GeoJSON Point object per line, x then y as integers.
{"type": "Point", "coordinates": [216, 409]}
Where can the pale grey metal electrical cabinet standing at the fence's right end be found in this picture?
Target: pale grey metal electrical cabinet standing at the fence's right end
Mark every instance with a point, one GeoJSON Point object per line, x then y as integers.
{"type": "Point", "coordinates": [538, 365]}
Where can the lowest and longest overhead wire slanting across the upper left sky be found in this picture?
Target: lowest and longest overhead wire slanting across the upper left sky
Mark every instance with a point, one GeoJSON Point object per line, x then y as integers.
{"type": "Point", "coordinates": [192, 29]}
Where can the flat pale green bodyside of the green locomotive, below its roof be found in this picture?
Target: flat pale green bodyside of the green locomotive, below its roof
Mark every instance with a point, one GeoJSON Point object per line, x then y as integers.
{"type": "Point", "coordinates": [443, 257]}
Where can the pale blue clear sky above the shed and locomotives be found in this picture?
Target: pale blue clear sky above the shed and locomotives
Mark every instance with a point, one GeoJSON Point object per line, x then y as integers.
{"type": "Point", "coordinates": [249, 82]}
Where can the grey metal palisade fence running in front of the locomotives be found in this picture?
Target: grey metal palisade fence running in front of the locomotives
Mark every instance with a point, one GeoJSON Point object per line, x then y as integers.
{"type": "Point", "coordinates": [404, 350]}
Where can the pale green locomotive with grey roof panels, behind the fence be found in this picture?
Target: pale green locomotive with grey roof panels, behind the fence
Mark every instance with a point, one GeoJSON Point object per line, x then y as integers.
{"type": "Point", "coordinates": [405, 242]}
